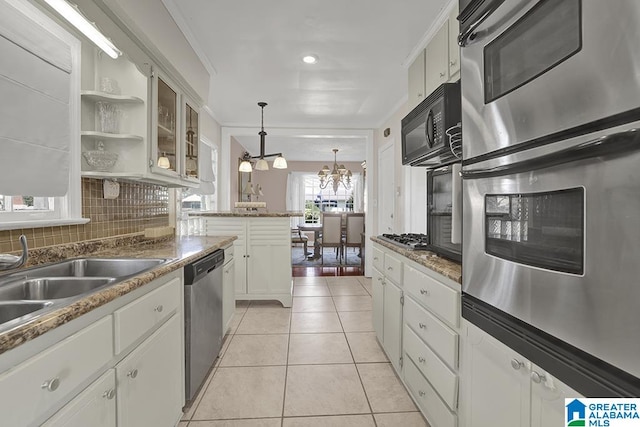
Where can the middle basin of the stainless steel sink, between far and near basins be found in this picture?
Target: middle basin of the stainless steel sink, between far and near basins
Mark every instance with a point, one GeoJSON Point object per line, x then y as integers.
{"type": "Point", "coordinates": [52, 287]}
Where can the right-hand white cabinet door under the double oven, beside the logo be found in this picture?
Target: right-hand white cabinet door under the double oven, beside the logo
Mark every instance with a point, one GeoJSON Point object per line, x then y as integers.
{"type": "Point", "coordinates": [547, 399]}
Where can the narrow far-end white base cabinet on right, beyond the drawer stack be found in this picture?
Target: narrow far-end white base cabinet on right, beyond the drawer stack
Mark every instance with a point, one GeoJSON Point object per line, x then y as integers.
{"type": "Point", "coordinates": [387, 304]}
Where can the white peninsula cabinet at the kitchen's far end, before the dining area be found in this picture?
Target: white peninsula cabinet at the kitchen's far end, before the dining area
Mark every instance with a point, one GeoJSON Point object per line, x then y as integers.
{"type": "Point", "coordinates": [262, 255]}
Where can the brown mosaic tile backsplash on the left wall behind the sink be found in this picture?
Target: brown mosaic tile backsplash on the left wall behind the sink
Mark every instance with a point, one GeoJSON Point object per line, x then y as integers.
{"type": "Point", "coordinates": [138, 206]}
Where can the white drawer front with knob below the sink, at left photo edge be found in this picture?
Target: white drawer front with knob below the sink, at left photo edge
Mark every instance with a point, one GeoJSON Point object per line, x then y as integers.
{"type": "Point", "coordinates": [65, 366]}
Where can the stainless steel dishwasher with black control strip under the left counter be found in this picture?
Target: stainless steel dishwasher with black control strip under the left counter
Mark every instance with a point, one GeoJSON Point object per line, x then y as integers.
{"type": "Point", "coordinates": [203, 318]}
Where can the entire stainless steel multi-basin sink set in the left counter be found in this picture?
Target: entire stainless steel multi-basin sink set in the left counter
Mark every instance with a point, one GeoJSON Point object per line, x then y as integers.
{"type": "Point", "coordinates": [29, 293]}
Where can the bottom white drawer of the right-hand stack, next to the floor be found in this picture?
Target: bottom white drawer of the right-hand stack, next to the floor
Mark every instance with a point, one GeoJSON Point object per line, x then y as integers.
{"type": "Point", "coordinates": [431, 405]}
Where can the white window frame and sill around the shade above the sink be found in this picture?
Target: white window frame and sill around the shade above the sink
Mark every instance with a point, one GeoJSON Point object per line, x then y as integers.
{"type": "Point", "coordinates": [68, 209]}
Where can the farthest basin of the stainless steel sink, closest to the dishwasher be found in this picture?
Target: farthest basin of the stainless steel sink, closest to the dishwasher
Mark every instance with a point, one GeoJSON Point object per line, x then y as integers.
{"type": "Point", "coordinates": [96, 267]}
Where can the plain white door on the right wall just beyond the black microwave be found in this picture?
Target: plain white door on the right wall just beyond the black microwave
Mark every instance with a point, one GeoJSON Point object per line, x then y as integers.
{"type": "Point", "coordinates": [386, 188]}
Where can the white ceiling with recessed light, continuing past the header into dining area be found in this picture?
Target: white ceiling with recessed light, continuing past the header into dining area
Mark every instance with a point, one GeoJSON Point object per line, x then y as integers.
{"type": "Point", "coordinates": [254, 50]}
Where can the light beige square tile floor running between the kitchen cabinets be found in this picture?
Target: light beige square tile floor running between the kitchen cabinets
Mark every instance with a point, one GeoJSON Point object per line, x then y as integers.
{"type": "Point", "coordinates": [317, 364]}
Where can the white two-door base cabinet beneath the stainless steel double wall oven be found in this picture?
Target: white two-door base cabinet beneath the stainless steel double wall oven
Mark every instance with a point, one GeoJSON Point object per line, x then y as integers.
{"type": "Point", "coordinates": [492, 372]}
